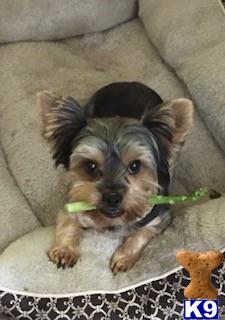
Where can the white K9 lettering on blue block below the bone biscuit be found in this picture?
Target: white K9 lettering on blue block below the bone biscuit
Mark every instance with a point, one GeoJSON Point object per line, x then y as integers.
{"type": "Point", "coordinates": [200, 309]}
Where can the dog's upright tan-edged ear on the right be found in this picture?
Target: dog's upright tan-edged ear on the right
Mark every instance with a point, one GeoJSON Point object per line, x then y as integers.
{"type": "Point", "coordinates": [170, 122]}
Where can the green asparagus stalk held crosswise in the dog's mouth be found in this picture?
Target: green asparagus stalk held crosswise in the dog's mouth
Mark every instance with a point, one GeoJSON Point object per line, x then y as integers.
{"type": "Point", "coordinates": [75, 207]}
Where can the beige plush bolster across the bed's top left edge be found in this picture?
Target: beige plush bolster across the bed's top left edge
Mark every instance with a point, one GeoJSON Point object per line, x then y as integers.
{"type": "Point", "coordinates": [52, 19]}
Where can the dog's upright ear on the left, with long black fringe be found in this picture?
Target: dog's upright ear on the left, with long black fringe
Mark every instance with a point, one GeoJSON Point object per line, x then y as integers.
{"type": "Point", "coordinates": [62, 119]}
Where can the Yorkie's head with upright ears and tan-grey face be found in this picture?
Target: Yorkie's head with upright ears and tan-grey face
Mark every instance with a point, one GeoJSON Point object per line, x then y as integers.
{"type": "Point", "coordinates": [115, 163]}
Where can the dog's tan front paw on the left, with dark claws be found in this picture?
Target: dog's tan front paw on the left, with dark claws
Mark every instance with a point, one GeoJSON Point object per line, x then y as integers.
{"type": "Point", "coordinates": [63, 256]}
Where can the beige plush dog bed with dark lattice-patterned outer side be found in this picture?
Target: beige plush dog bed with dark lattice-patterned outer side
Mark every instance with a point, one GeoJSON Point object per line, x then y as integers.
{"type": "Point", "coordinates": [176, 49]}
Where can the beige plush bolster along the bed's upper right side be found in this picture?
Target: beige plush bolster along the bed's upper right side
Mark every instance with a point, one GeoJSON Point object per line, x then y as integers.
{"type": "Point", "coordinates": [189, 35]}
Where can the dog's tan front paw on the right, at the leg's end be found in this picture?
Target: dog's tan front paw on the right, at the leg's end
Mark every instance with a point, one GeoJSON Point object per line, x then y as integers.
{"type": "Point", "coordinates": [122, 261]}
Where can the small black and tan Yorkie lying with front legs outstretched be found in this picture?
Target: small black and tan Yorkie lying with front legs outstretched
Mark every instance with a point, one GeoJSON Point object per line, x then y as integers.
{"type": "Point", "coordinates": [118, 149]}
